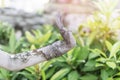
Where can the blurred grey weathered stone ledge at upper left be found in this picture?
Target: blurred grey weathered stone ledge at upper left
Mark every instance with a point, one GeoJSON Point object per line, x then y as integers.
{"type": "Point", "coordinates": [23, 20]}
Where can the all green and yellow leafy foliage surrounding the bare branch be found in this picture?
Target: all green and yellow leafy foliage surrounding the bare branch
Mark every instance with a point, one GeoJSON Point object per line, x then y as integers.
{"type": "Point", "coordinates": [96, 56]}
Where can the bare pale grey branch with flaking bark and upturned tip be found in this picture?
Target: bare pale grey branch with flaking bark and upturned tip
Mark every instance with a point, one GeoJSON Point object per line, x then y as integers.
{"type": "Point", "coordinates": [25, 59]}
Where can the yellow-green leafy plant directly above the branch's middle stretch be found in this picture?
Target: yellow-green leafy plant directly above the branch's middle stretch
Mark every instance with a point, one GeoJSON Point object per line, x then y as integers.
{"type": "Point", "coordinates": [42, 37]}
